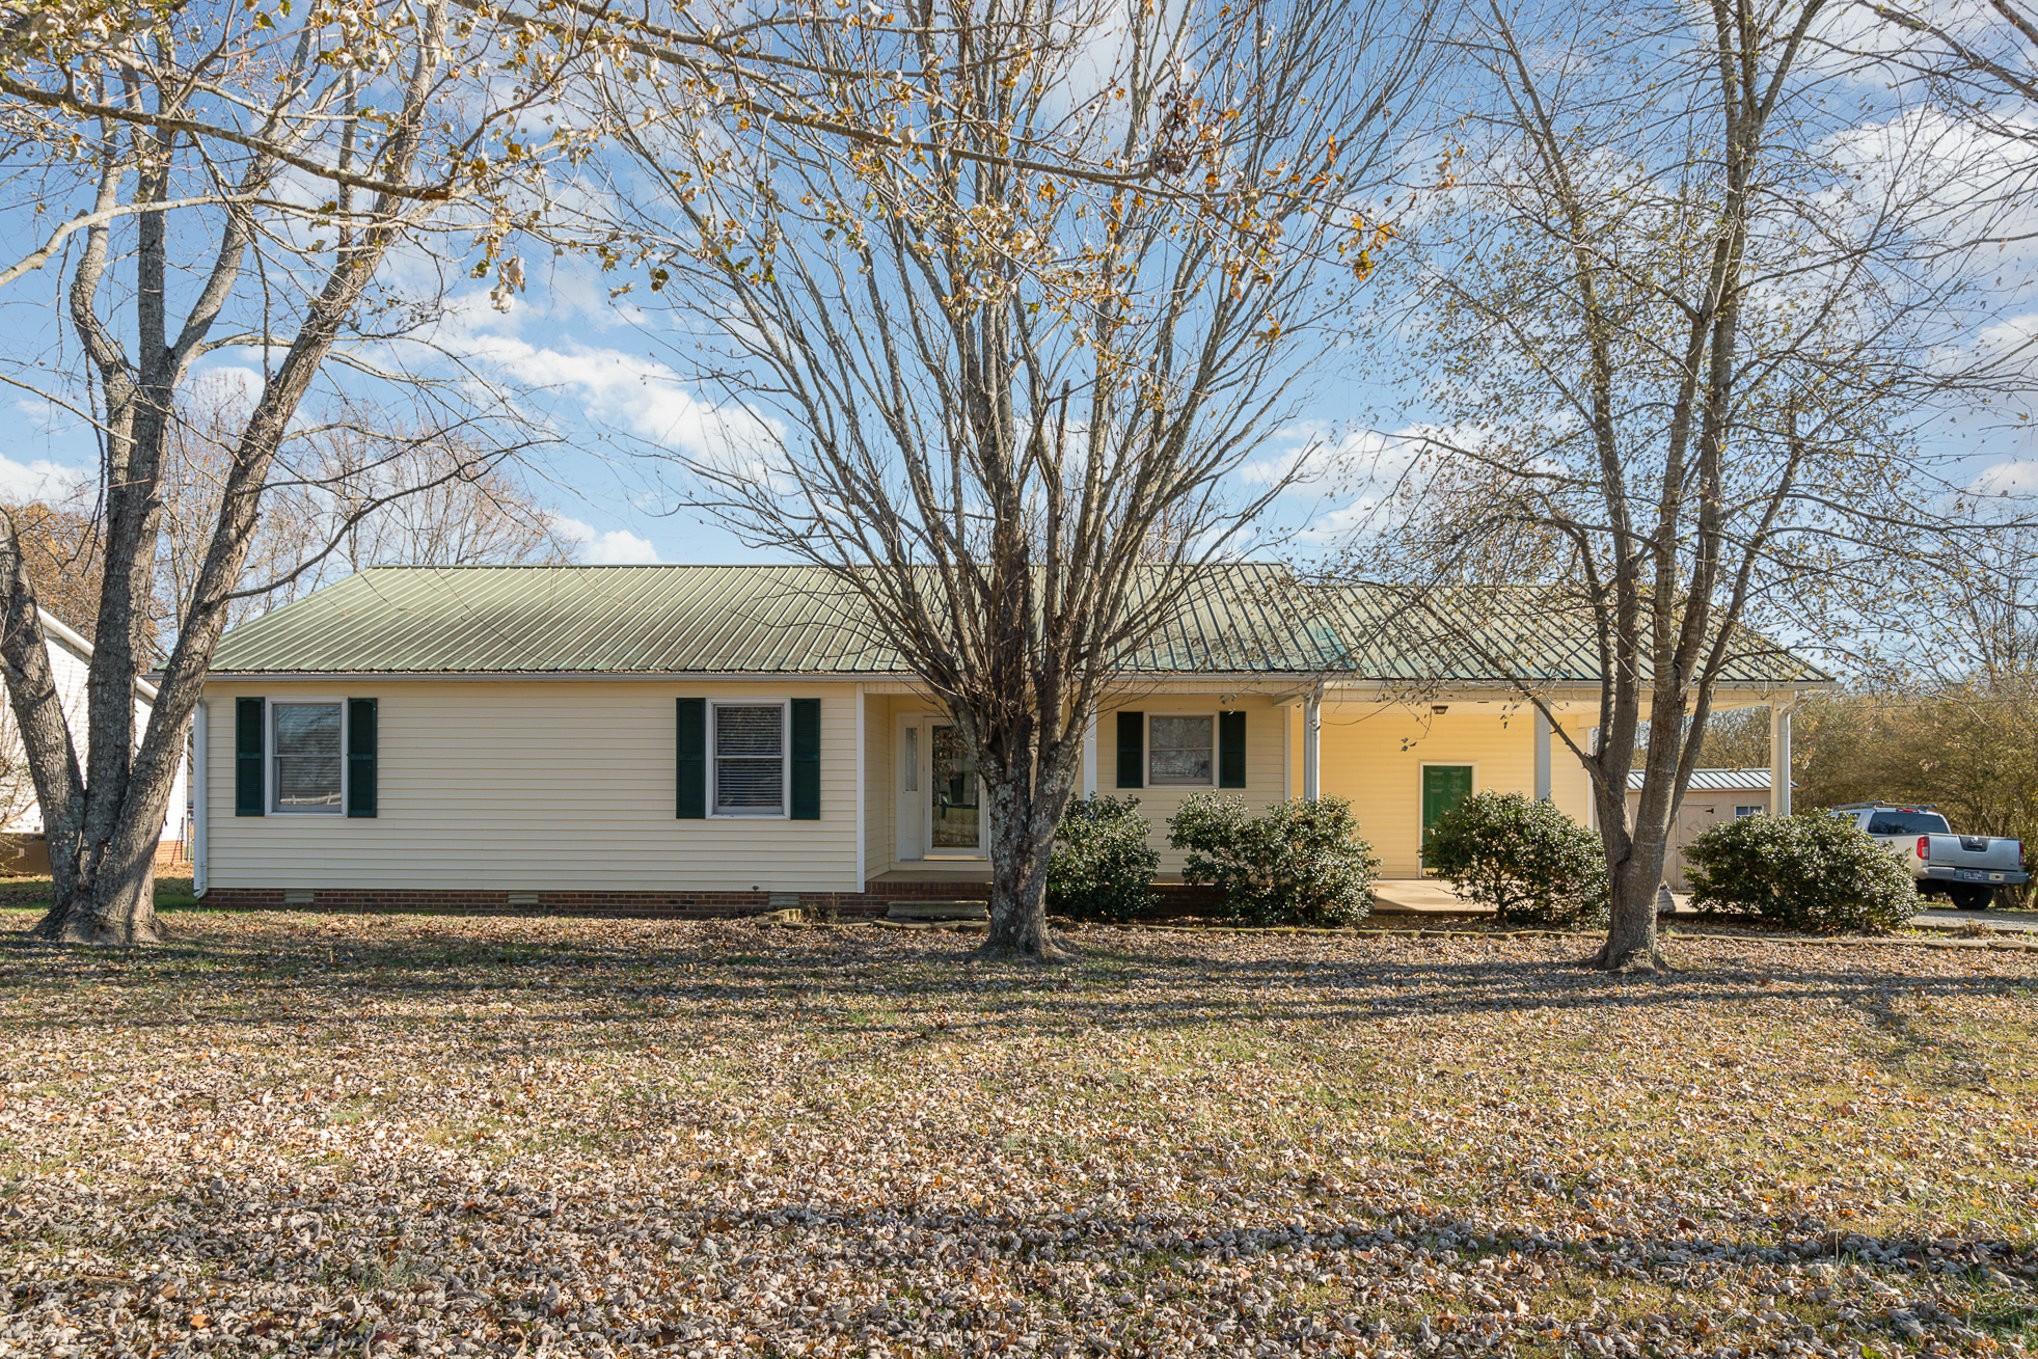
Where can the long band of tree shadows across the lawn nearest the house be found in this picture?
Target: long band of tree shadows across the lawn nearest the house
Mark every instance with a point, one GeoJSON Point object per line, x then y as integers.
{"type": "Point", "coordinates": [867, 981]}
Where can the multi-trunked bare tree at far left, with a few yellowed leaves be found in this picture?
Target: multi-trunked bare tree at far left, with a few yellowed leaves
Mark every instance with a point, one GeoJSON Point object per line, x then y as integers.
{"type": "Point", "coordinates": [227, 178]}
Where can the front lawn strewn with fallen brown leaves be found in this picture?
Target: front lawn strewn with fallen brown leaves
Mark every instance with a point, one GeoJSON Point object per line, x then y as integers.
{"type": "Point", "coordinates": [372, 1136]}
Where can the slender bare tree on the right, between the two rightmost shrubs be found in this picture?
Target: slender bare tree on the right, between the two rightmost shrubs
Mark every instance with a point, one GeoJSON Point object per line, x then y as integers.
{"type": "Point", "coordinates": [1693, 307]}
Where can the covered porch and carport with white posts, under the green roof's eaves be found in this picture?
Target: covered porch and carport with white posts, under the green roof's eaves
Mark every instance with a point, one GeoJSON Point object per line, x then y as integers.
{"type": "Point", "coordinates": [1399, 761]}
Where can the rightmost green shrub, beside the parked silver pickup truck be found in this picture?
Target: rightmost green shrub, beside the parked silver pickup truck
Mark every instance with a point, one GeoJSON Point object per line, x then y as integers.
{"type": "Point", "coordinates": [1811, 871]}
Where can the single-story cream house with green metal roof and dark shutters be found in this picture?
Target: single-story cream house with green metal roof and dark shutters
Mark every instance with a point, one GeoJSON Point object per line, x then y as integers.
{"type": "Point", "coordinates": [712, 739]}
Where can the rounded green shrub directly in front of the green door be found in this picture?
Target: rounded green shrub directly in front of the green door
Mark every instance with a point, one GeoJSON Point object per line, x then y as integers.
{"type": "Point", "coordinates": [1523, 859]}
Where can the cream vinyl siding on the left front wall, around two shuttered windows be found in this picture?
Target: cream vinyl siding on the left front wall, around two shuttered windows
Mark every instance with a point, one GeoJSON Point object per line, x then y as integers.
{"type": "Point", "coordinates": [535, 785]}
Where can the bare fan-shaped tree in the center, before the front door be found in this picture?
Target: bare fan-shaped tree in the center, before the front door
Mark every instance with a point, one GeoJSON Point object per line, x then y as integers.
{"type": "Point", "coordinates": [1004, 317]}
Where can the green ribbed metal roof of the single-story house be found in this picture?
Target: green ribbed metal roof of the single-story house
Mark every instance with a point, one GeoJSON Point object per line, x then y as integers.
{"type": "Point", "coordinates": [802, 620]}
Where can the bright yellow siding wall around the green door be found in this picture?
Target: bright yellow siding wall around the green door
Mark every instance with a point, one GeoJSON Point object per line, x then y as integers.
{"type": "Point", "coordinates": [1375, 755]}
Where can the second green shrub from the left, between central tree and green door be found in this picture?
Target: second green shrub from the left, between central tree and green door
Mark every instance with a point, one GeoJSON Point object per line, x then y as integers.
{"type": "Point", "coordinates": [1293, 865]}
